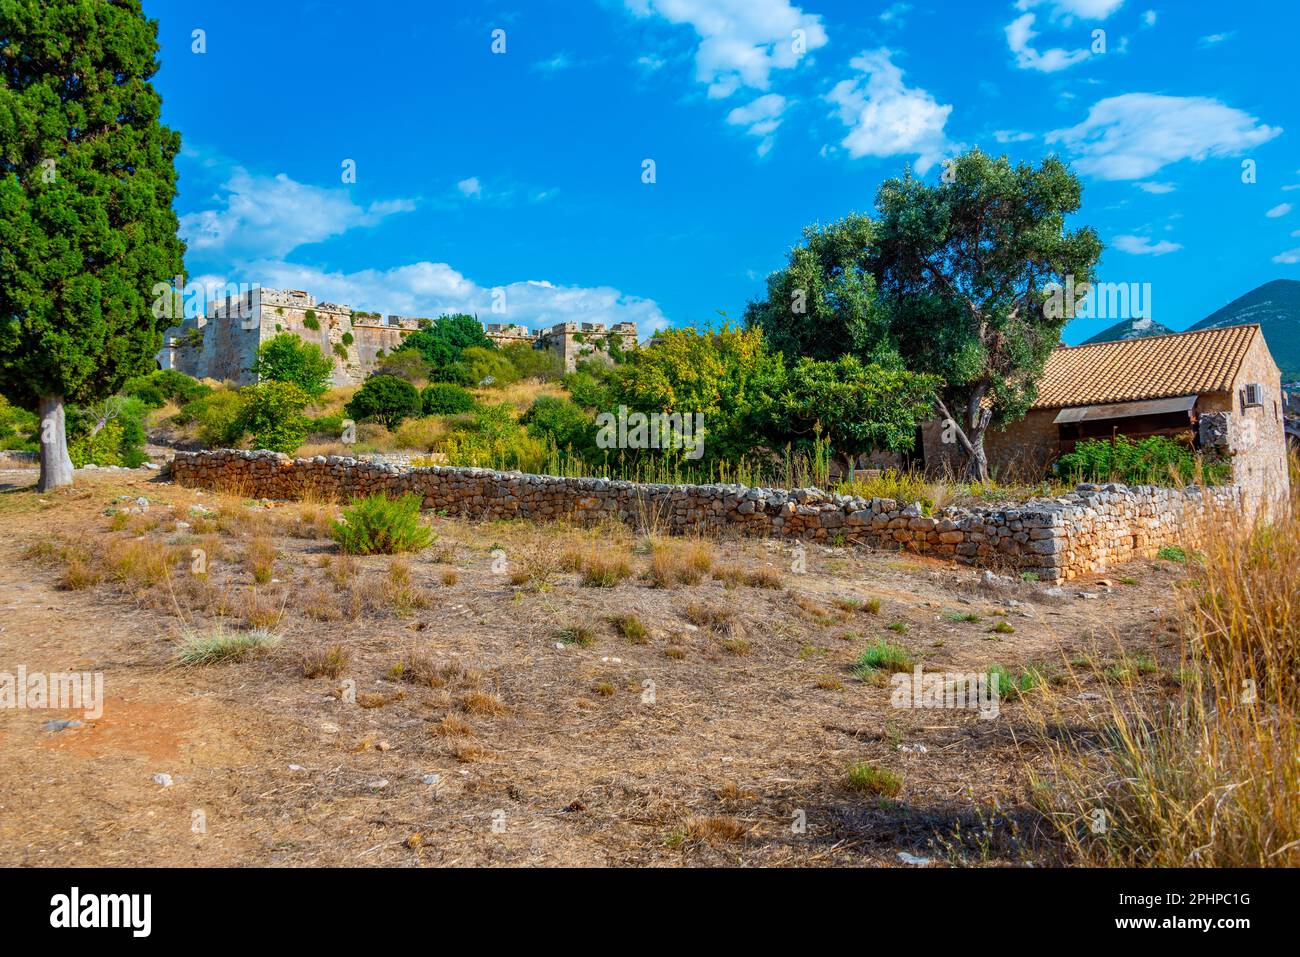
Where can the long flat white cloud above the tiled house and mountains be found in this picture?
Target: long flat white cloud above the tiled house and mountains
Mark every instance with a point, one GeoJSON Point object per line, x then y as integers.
{"type": "Point", "coordinates": [1133, 136]}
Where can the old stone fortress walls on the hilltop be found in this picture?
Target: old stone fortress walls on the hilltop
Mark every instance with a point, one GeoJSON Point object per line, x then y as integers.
{"type": "Point", "coordinates": [223, 343]}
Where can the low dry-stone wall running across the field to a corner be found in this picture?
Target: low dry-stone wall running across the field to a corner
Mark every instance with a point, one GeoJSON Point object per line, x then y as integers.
{"type": "Point", "coordinates": [1058, 539]}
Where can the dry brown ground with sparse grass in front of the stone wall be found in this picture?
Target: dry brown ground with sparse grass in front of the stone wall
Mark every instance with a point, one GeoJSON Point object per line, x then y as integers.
{"type": "Point", "coordinates": [526, 750]}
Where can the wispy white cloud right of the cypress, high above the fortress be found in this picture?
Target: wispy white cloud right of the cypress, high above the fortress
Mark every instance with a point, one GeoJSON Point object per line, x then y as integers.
{"type": "Point", "coordinates": [270, 216]}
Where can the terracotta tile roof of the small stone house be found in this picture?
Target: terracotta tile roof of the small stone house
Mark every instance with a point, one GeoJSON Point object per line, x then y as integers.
{"type": "Point", "coordinates": [1150, 369]}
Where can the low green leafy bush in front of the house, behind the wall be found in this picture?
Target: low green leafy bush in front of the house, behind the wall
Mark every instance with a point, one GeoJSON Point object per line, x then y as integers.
{"type": "Point", "coordinates": [1154, 461]}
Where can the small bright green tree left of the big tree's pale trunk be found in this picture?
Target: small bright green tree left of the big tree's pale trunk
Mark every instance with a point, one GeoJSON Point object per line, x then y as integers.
{"type": "Point", "coordinates": [860, 409]}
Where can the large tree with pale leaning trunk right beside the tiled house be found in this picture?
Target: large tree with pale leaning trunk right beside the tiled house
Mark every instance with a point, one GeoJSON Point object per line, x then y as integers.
{"type": "Point", "coordinates": [968, 267]}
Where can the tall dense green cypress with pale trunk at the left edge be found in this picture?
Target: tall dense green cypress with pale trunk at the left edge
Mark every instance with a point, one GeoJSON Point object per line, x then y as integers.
{"type": "Point", "coordinates": [86, 224]}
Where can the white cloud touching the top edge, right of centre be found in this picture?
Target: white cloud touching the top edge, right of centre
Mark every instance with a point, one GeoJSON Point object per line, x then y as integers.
{"type": "Point", "coordinates": [742, 42]}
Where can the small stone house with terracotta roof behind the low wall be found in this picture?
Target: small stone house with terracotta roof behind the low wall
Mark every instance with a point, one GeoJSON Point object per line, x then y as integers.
{"type": "Point", "coordinates": [1219, 388]}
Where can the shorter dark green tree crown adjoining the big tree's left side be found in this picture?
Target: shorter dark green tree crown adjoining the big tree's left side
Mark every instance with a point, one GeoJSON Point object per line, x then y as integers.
{"type": "Point", "coordinates": [824, 302]}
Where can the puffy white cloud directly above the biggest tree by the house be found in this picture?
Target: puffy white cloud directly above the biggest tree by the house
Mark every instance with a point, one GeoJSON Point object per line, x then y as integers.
{"type": "Point", "coordinates": [886, 118]}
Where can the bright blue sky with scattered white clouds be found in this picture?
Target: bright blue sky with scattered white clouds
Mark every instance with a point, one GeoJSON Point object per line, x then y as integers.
{"type": "Point", "coordinates": [523, 171]}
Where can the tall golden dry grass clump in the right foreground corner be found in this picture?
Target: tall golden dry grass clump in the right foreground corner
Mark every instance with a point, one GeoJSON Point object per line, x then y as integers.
{"type": "Point", "coordinates": [1208, 780]}
